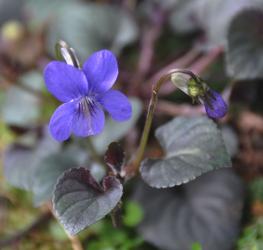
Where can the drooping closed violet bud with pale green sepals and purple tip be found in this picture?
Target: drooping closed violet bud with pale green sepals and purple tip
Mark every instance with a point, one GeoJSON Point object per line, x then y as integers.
{"type": "Point", "coordinates": [199, 91]}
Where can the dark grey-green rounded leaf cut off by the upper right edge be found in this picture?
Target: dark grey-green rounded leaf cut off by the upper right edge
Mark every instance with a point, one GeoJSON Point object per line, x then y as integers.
{"type": "Point", "coordinates": [244, 49]}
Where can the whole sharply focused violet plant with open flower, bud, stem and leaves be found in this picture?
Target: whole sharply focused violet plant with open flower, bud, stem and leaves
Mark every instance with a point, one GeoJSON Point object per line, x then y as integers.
{"type": "Point", "coordinates": [79, 199]}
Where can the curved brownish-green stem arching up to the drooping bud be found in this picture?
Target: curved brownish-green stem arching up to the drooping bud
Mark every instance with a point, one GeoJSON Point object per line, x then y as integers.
{"type": "Point", "coordinates": [134, 164]}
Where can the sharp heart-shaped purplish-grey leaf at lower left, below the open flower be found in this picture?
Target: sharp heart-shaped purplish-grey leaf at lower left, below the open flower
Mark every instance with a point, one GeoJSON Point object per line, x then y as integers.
{"type": "Point", "coordinates": [80, 201]}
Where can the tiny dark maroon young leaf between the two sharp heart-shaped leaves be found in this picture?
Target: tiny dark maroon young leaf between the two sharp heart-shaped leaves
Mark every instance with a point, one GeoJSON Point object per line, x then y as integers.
{"type": "Point", "coordinates": [114, 157]}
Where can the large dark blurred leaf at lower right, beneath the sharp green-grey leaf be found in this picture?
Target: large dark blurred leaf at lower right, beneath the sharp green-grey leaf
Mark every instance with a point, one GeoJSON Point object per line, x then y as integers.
{"type": "Point", "coordinates": [207, 210]}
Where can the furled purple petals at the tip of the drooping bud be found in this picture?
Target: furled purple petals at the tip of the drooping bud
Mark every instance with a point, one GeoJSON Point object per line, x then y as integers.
{"type": "Point", "coordinates": [215, 105]}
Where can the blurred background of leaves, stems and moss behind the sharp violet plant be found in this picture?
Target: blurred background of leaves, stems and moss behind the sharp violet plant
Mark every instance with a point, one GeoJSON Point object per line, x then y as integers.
{"type": "Point", "coordinates": [221, 40]}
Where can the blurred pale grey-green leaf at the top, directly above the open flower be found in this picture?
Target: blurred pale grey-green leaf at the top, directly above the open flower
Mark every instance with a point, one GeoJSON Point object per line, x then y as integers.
{"type": "Point", "coordinates": [91, 27]}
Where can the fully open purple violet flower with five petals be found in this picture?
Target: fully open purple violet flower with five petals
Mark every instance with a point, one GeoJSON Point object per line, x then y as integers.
{"type": "Point", "coordinates": [84, 94]}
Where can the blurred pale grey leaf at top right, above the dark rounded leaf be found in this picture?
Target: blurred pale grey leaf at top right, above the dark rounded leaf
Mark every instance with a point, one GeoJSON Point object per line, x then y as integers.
{"type": "Point", "coordinates": [212, 17]}
